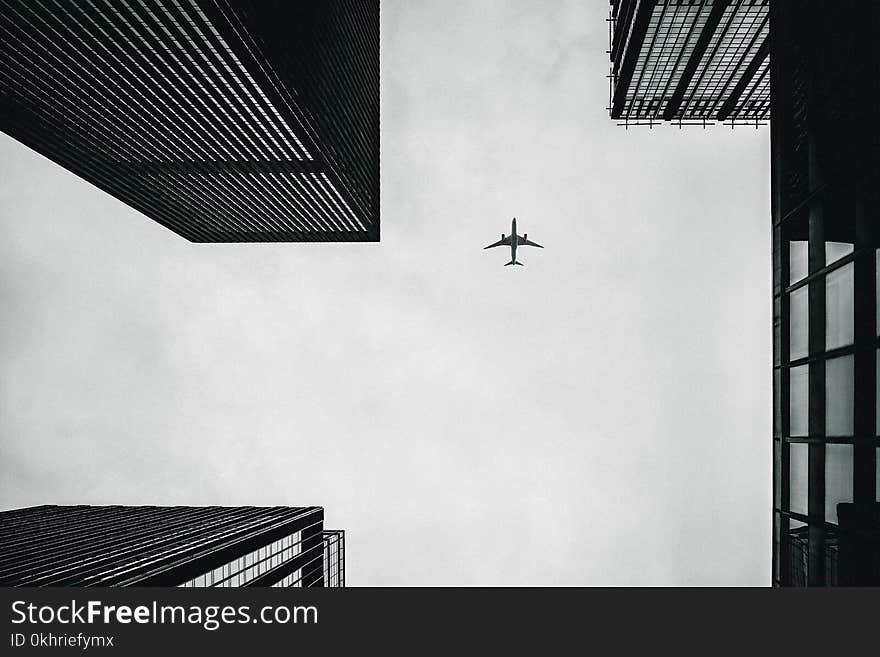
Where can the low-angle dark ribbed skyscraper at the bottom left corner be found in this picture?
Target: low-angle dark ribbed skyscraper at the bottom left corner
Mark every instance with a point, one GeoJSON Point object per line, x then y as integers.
{"type": "Point", "coordinates": [169, 546]}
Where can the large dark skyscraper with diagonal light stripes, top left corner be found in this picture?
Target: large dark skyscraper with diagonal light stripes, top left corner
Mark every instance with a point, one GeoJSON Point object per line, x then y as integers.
{"type": "Point", "coordinates": [225, 121]}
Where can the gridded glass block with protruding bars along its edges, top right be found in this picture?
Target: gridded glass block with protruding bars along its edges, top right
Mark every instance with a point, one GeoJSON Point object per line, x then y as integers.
{"type": "Point", "coordinates": [689, 61]}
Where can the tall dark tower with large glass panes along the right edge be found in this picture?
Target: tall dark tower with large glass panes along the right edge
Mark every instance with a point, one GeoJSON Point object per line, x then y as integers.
{"type": "Point", "coordinates": [824, 199]}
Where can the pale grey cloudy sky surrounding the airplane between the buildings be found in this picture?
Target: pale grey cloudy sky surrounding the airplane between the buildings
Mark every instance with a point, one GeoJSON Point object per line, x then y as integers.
{"type": "Point", "coordinates": [600, 416]}
